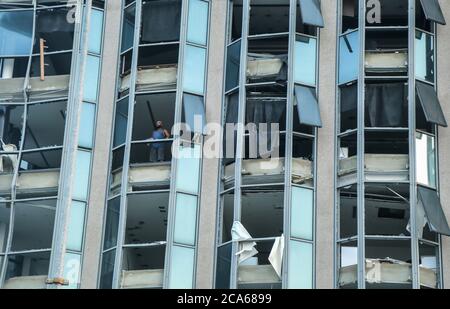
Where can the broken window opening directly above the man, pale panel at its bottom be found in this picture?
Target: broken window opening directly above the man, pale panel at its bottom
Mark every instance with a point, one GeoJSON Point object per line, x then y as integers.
{"type": "Point", "coordinates": [157, 68]}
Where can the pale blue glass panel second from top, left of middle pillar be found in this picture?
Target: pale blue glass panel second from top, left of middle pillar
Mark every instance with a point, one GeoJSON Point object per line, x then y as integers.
{"type": "Point", "coordinates": [194, 71]}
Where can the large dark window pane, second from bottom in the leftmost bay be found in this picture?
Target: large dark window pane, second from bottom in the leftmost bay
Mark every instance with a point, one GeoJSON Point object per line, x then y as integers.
{"type": "Point", "coordinates": [33, 225]}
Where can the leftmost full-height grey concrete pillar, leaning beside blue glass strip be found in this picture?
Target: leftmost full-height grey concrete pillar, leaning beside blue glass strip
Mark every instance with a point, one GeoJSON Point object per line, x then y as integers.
{"type": "Point", "coordinates": [105, 108]}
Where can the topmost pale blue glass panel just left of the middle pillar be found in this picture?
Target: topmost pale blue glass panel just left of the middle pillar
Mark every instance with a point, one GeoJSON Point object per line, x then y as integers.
{"type": "Point", "coordinates": [197, 22]}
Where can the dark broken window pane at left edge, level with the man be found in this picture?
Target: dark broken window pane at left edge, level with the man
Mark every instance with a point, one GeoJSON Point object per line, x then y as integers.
{"type": "Point", "coordinates": [11, 121]}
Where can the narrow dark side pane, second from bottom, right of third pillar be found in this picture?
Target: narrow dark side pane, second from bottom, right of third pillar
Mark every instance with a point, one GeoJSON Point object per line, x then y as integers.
{"type": "Point", "coordinates": [348, 208]}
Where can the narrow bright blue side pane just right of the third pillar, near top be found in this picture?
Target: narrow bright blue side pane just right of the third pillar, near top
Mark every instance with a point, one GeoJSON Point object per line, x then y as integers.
{"type": "Point", "coordinates": [348, 57]}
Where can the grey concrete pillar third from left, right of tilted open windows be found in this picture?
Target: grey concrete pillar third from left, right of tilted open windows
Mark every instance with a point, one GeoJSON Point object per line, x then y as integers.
{"type": "Point", "coordinates": [326, 146]}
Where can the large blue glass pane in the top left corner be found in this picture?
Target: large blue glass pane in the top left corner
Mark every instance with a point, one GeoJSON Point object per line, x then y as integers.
{"type": "Point", "coordinates": [16, 30]}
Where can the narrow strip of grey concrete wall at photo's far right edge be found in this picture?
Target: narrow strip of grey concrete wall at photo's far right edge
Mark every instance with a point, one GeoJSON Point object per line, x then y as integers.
{"type": "Point", "coordinates": [443, 83]}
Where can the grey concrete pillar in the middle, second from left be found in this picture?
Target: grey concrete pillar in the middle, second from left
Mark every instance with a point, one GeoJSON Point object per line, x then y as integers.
{"type": "Point", "coordinates": [214, 94]}
